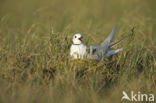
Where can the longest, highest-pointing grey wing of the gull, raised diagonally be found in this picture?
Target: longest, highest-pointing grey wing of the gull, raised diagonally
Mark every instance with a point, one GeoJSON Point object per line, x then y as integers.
{"type": "Point", "coordinates": [105, 44]}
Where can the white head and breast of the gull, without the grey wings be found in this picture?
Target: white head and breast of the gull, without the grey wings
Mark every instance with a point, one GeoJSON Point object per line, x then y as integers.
{"type": "Point", "coordinates": [78, 49]}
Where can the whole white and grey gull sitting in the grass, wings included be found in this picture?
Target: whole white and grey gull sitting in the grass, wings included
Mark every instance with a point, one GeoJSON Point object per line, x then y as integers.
{"type": "Point", "coordinates": [97, 52]}
